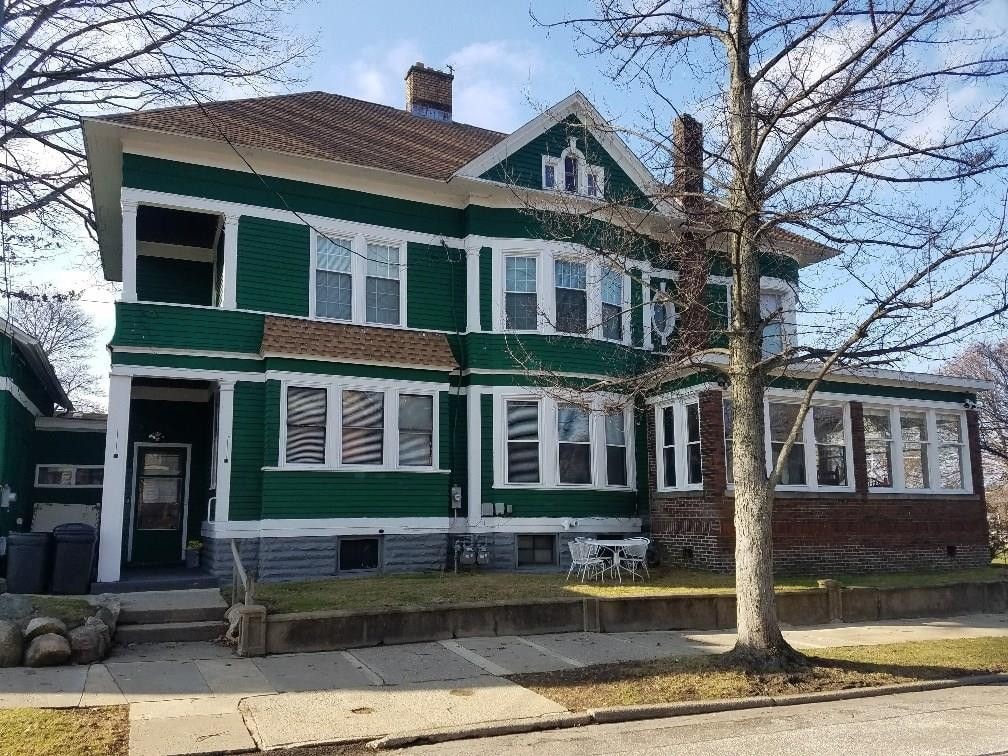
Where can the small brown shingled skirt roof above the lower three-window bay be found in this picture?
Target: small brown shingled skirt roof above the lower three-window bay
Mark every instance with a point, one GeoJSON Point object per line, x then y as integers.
{"type": "Point", "coordinates": [338, 341]}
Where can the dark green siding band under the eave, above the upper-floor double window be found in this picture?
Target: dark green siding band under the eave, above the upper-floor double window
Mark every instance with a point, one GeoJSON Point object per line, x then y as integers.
{"type": "Point", "coordinates": [155, 174]}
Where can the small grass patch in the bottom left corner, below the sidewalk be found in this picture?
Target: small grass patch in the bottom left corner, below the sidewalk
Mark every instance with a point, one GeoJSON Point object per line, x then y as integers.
{"type": "Point", "coordinates": [102, 731]}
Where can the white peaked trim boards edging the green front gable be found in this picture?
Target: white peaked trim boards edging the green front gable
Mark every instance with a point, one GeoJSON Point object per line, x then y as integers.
{"type": "Point", "coordinates": [577, 104]}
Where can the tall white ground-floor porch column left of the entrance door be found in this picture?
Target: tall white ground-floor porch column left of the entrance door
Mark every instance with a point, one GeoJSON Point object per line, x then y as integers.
{"type": "Point", "coordinates": [114, 484]}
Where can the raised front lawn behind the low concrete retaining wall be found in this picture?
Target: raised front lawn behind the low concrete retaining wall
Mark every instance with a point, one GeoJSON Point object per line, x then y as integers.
{"type": "Point", "coordinates": [436, 589]}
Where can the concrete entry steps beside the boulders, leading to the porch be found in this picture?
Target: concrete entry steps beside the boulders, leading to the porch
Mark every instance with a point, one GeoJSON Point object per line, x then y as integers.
{"type": "Point", "coordinates": [171, 616]}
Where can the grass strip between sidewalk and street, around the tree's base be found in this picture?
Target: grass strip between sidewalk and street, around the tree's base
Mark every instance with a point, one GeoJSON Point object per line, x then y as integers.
{"type": "Point", "coordinates": [700, 678]}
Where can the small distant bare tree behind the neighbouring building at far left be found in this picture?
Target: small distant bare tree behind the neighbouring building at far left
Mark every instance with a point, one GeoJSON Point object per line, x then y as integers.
{"type": "Point", "coordinates": [68, 336]}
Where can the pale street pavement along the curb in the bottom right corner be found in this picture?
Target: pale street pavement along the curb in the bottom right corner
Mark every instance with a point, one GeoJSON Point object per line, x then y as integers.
{"type": "Point", "coordinates": [957, 722]}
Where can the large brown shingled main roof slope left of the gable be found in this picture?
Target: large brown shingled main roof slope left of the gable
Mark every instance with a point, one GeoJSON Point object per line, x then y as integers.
{"type": "Point", "coordinates": [330, 128]}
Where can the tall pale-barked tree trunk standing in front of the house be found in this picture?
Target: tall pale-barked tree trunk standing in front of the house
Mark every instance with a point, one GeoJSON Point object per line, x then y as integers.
{"type": "Point", "coordinates": [761, 644]}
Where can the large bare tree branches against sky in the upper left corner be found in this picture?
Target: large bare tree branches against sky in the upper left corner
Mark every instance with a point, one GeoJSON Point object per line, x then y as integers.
{"type": "Point", "coordinates": [64, 59]}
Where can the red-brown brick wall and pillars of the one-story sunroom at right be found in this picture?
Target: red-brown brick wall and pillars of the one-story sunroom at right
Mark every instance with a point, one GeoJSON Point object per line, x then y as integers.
{"type": "Point", "coordinates": [828, 534]}
